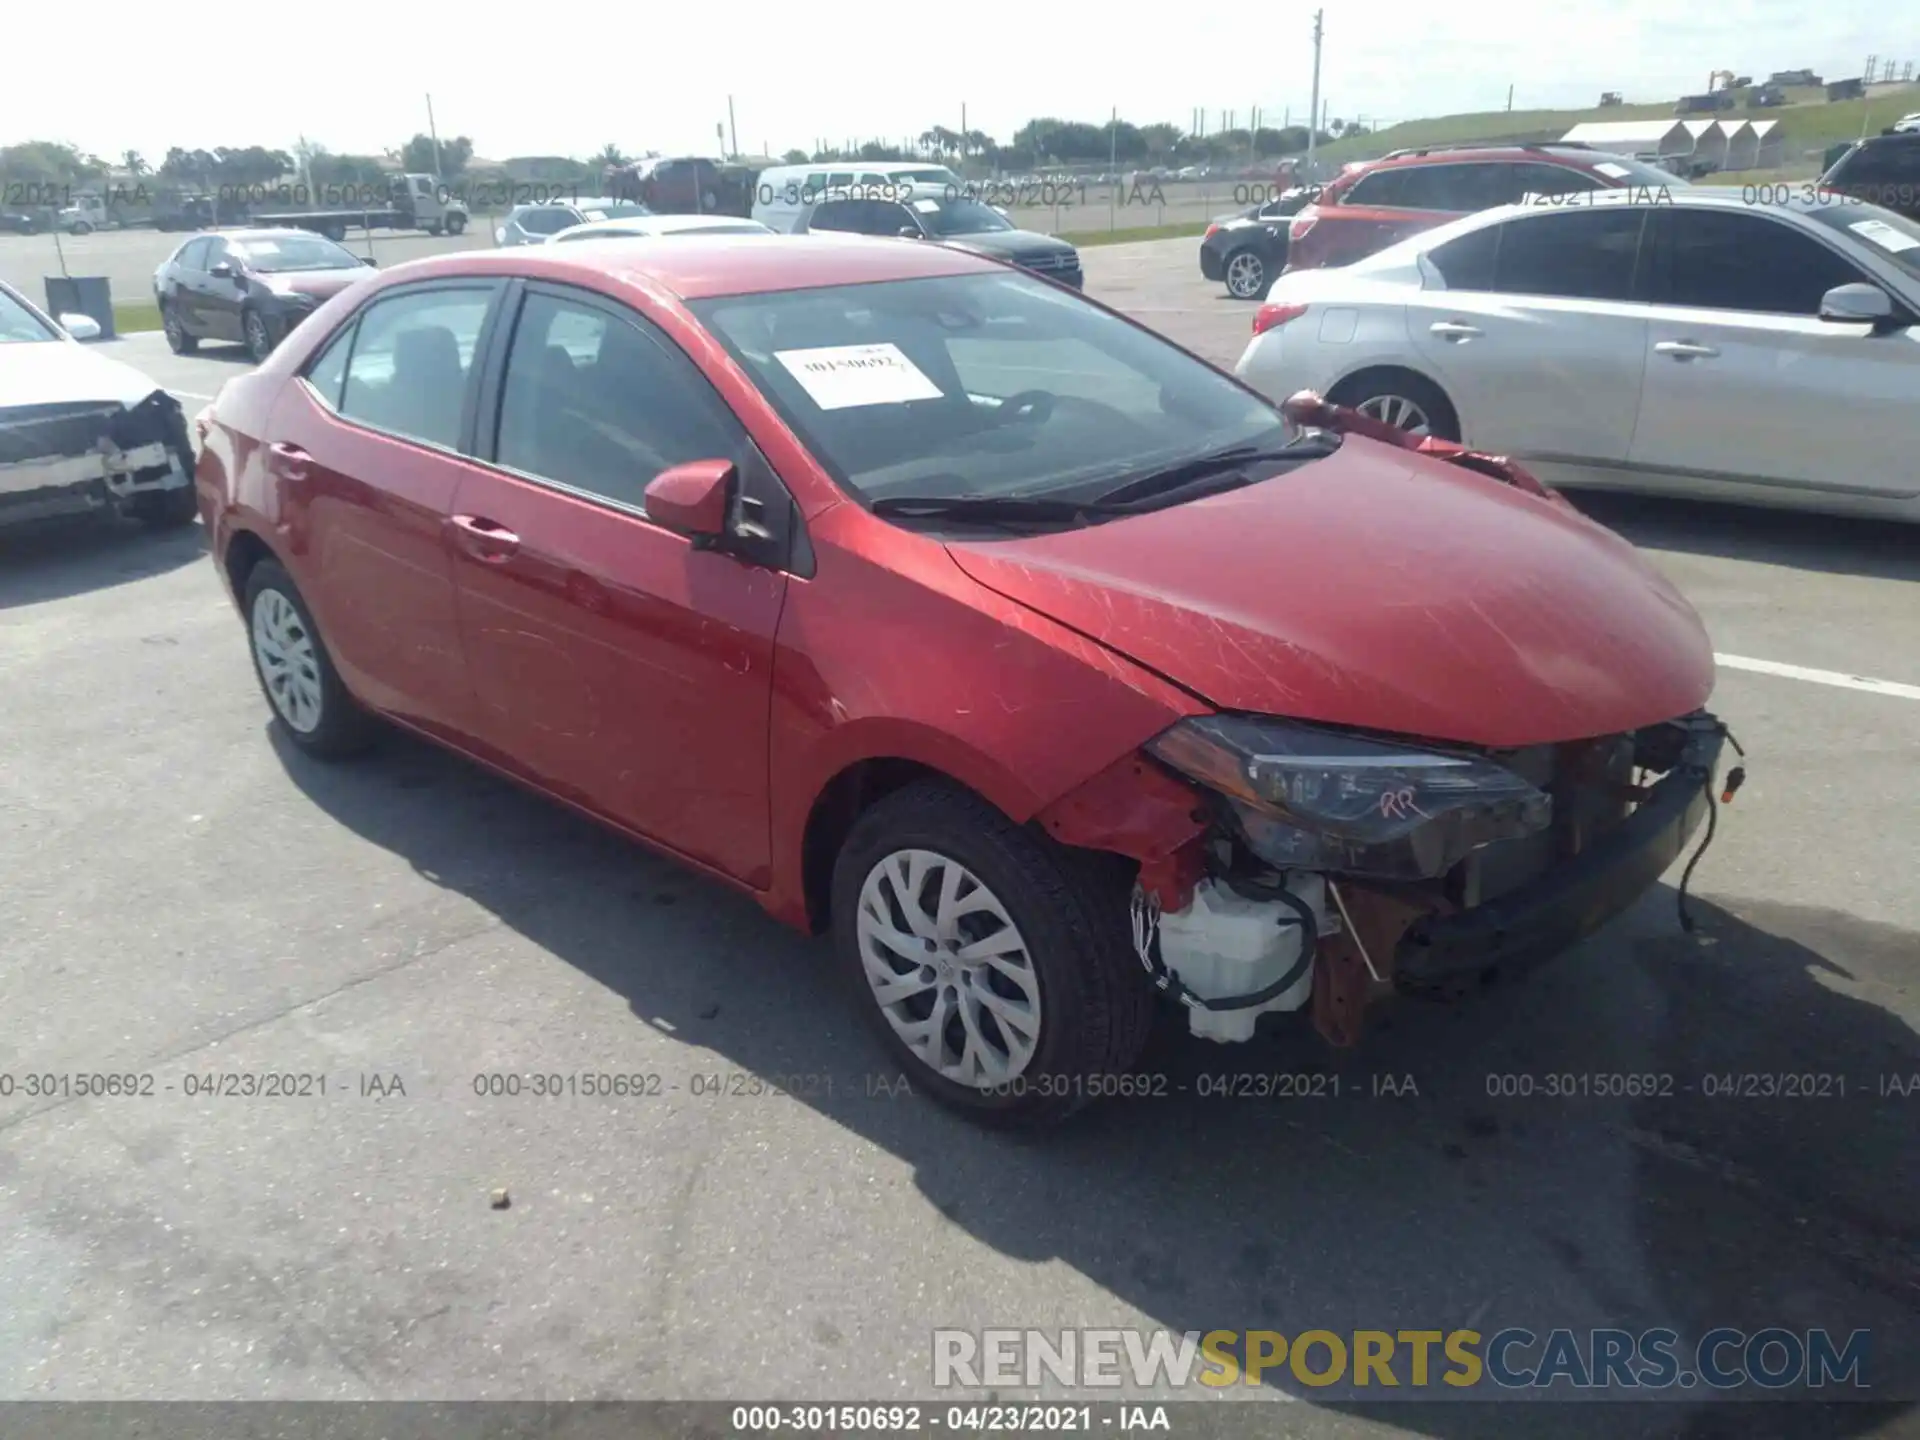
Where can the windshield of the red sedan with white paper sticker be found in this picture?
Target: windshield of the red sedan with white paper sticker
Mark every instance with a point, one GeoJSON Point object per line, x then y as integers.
{"type": "Point", "coordinates": [980, 385]}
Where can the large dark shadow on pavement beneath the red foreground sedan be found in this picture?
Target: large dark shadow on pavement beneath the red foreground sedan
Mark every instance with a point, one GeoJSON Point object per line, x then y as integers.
{"type": "Point", "coordinates": [1424, 1182]}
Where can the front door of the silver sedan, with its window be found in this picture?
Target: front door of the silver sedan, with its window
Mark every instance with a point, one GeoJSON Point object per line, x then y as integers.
{"type": "Point", "coordinates": [1746, 383]}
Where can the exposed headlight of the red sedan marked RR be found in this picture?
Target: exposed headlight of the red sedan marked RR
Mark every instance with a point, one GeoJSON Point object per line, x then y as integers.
{"type": "Point", "coordinates": [1316, 800]}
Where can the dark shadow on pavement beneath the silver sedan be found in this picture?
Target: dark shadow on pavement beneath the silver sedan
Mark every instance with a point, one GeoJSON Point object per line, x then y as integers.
{"type": "Point", "coordinates": [1833, 544]}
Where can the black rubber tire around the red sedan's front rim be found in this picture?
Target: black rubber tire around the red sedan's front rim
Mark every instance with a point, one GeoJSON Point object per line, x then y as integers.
{"type": "Point", "coordinates": [1072, 911]}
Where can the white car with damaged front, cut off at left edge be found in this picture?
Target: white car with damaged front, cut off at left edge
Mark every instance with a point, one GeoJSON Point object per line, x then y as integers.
{"type": "Point", "coordinates": [82, 433]}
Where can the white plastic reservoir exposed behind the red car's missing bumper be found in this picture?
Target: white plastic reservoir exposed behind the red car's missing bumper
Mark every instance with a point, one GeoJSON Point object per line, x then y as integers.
{"type": "Point", "coordinates": [1226, 946]}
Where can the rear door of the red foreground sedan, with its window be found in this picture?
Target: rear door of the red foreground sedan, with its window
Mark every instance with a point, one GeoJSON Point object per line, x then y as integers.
{"type": "Point", "coordinates": [364, 454]}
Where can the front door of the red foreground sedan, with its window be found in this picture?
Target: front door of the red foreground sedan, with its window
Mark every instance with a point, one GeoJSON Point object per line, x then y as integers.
{"type": "Point", "coordinates": [619, 663]}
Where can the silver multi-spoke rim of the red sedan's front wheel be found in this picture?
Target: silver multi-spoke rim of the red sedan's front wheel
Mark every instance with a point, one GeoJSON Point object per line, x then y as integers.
{"type": "Point", "coordinates": [949, 969]}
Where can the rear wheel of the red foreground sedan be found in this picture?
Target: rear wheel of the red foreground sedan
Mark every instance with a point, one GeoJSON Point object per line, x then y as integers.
{"type": "Point", "coordinates": [297, 675]}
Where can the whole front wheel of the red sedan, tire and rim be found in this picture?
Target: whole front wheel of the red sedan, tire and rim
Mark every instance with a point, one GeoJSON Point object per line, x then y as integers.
{"type": "Point", "coordinates": [996, 965]}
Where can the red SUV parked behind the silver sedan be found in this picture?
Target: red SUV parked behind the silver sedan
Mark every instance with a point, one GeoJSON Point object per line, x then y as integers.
{"type": "Point", "coordinates": [1410, 191]}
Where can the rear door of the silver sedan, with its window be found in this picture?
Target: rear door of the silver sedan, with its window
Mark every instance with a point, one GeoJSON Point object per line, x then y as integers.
{"type": "Point", "coordinates": [1539, 337]}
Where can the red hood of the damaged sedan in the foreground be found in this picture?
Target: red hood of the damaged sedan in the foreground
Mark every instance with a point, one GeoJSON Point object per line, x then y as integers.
{"type": "Point", "coordinates": [1380, 590]}
